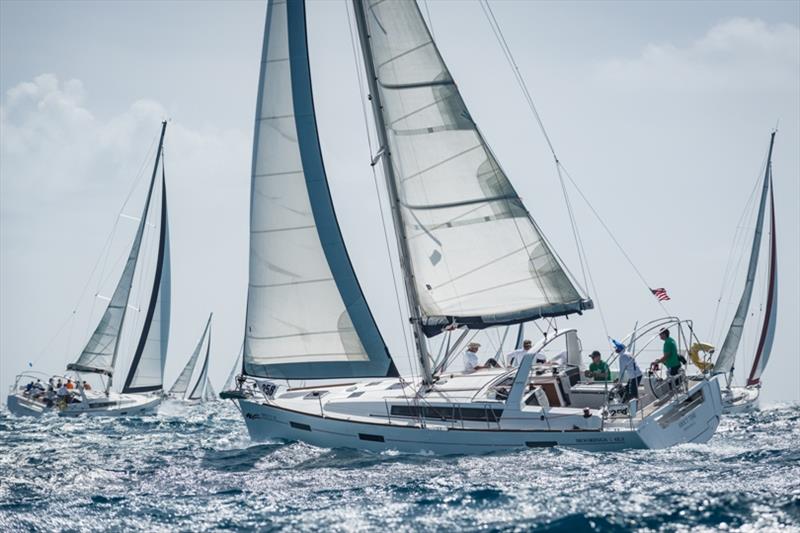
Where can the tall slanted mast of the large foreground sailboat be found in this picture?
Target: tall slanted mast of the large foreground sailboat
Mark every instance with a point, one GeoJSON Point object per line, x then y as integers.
{"type": "Point", "coordinates": [388, 172]}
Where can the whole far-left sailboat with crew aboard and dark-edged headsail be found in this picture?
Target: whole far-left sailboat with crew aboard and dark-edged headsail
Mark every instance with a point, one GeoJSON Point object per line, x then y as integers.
{"type": "Point", "coordinates": [142, 371]}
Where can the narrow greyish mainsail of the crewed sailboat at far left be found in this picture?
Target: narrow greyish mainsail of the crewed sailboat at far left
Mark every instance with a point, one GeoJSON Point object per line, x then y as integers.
{"type": "Point", "coordinates": [100, 352]}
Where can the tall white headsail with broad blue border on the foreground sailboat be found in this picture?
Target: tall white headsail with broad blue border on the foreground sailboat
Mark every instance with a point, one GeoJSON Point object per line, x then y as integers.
{"type": "Point", "coordinates": [306, 314]}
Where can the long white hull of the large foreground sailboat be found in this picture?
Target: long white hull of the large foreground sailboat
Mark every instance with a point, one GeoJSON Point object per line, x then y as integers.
{"type": "Point", "coordinates": [680, 420]}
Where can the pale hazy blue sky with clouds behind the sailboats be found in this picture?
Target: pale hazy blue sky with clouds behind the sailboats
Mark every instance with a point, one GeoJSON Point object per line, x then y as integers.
{"type": "Point", "coordinates": [660, 111]}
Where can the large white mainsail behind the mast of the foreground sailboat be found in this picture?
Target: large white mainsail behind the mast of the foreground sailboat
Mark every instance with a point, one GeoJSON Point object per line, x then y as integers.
{"type": "Point", "coordinates": [477, 256]}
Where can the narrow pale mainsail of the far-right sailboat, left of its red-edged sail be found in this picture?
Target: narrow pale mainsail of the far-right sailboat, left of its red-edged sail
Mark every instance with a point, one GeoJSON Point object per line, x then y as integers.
{"type": "Point", "coordinates": [727, 355]}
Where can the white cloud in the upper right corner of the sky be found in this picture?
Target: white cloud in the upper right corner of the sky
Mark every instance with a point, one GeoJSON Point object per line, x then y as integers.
{"type": "Point", "coordinates": [739, 53]}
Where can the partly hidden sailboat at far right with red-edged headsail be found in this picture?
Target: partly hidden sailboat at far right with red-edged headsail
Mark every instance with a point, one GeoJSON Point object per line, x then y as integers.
{"type": "Point", "coordinates": [739, 399]}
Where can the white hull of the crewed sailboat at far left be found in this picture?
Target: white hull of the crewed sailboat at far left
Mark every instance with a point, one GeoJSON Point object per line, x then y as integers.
{"type": "Point", "coordinates": [95, 405]}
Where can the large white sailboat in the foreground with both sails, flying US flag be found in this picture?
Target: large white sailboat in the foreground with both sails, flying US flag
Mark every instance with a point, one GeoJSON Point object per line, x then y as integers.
{"type": "Point", "coordinates": [471, 256]}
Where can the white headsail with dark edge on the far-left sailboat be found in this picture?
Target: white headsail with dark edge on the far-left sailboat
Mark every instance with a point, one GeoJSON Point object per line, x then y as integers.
{"type": "Point", "coordinates": [146, 371]}
